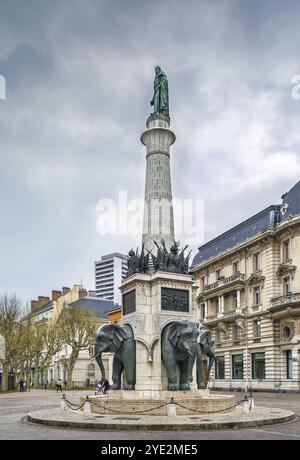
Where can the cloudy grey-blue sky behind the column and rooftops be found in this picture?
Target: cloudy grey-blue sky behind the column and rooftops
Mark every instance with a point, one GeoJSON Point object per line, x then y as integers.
{"type": "Point", "coordinates": [79, 78]}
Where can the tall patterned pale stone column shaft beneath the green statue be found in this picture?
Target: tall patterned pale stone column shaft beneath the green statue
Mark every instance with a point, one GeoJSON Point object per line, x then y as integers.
{"type": "Point", "coordinates": [158, 214]}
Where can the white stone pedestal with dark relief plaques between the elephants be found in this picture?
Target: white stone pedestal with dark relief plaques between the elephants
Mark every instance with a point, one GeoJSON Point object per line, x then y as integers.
{"type": "Point", "coordinates": [150, 302]}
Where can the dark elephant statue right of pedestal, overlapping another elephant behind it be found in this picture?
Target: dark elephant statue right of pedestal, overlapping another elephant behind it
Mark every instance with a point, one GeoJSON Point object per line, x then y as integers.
{"type": "Point", "coordinates": [180, 347]}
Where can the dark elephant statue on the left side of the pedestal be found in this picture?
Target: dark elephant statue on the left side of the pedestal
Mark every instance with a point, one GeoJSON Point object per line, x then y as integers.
{"type": "Point", "coordinates": [117, 339]}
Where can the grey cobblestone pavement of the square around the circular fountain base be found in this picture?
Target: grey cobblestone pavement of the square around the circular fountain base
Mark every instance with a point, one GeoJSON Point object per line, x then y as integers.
{"type": "Point", "coordinates": [15, 406]}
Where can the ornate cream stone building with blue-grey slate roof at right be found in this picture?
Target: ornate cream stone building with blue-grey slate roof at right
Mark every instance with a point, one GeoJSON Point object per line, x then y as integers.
{"type": "Point", "coordinates": [248, 294]}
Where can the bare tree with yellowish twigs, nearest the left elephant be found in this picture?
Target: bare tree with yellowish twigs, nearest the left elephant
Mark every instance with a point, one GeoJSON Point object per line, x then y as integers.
{"type": "Point", "coordinates": [78, 328]}
